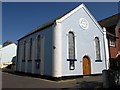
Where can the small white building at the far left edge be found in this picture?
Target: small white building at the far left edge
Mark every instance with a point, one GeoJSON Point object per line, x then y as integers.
{"type": "Point", "coordinates": [6, 54]}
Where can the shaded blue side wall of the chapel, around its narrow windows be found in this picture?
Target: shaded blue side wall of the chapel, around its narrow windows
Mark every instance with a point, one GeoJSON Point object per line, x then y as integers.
{"type": "Point", "coordinates": [46, 53]}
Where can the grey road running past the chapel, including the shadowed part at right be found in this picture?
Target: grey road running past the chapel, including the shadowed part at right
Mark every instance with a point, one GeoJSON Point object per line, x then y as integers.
{"type": "Point", "coordinates": [17, 81]}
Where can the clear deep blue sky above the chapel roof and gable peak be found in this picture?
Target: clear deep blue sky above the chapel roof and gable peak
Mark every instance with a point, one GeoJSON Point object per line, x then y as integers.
{"type": "Point", "coordinates": [20, 18]}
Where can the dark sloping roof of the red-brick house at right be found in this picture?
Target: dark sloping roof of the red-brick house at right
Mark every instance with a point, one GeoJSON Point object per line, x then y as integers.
{"type": "Point", "coordinates": [110, 21]}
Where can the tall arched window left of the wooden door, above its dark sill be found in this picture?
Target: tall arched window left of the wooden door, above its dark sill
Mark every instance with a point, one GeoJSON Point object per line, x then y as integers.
{"type": "Point", "coordinates": [71, 45]}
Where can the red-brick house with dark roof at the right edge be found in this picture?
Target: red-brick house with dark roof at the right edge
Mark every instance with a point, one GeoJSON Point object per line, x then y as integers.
{"type": "Point", "coordinates": [112, 25]}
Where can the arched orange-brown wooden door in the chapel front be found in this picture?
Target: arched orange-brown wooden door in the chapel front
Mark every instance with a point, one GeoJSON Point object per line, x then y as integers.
{"type": "Point", "coordinates": [86, 66]}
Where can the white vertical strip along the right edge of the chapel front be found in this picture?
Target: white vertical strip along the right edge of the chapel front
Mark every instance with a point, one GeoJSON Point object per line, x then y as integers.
{"type": "Point", "coordinates": [106, 49]}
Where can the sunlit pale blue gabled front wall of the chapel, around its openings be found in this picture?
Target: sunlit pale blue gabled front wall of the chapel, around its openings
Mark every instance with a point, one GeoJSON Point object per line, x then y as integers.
{"type": "Point", "coordinates": [84, 43]}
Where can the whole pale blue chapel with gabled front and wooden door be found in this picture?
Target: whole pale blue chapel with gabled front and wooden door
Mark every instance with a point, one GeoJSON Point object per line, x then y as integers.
{"type": "Point", "coordinates": [71, 45]}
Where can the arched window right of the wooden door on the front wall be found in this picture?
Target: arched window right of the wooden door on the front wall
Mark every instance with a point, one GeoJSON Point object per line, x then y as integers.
{"type": "Point", "coordinates": [97, 47]}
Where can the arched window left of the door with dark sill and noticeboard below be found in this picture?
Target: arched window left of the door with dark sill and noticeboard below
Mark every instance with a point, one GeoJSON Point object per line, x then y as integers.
{"type": "Point", "coordinates": [71, 50]}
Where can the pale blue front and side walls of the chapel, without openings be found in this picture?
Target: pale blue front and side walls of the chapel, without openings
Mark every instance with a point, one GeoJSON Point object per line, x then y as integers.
{"type": "Point", "coordinates": [54, 53]}
